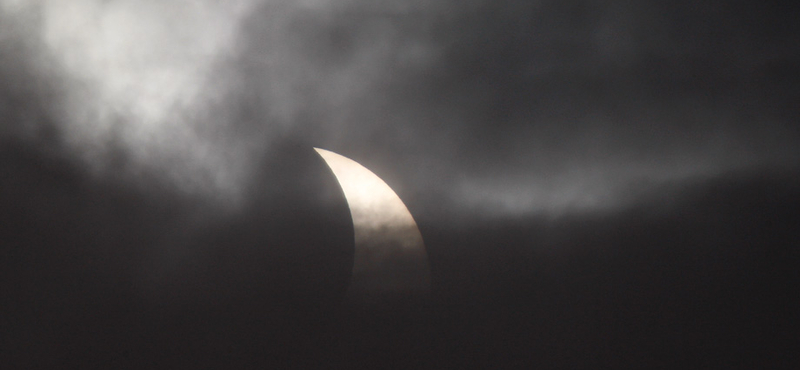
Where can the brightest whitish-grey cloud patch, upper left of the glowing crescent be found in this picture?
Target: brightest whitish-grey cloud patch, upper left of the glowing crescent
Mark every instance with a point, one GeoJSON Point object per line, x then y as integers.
{"type": "Point", "coordinates": [140, 86]}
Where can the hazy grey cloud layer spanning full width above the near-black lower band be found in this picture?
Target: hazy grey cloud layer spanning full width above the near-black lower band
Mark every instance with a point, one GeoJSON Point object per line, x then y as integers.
{"type": "Point", "coordinates": [501, 107]}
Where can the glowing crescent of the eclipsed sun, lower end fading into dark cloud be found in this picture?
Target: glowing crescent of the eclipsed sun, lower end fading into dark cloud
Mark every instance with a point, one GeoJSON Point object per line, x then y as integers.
{"type": "Point", "coordinates": [390, 255]}
